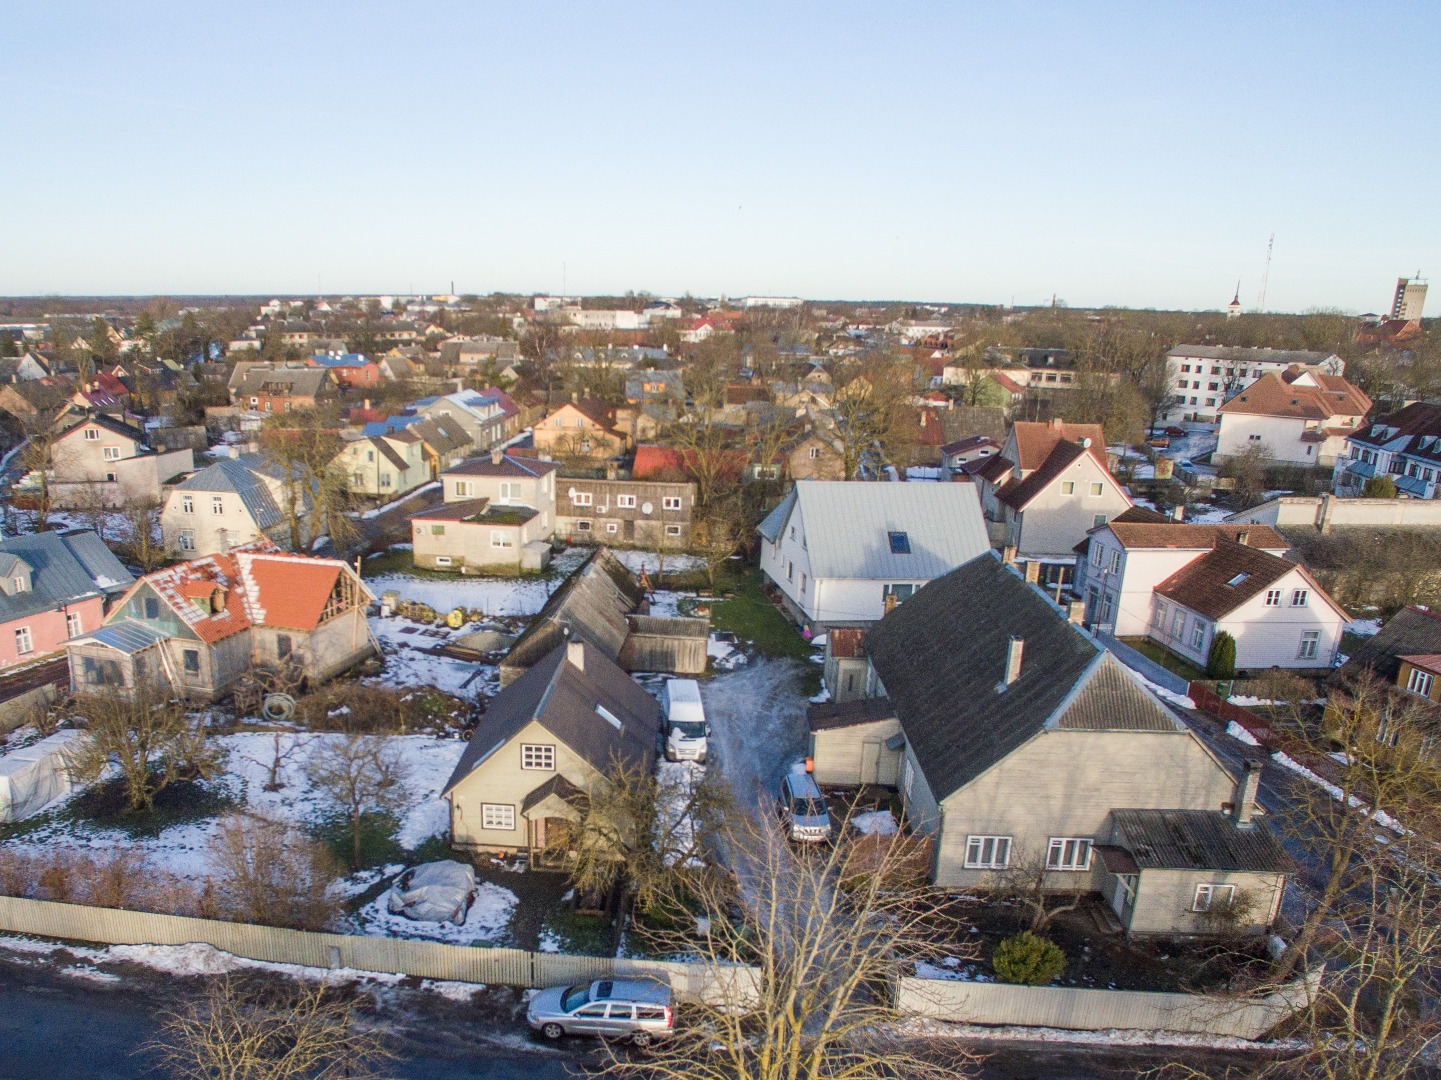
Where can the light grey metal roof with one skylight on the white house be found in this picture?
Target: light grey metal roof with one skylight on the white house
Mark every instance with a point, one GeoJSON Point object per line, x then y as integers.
{"type": "Point", "coordinates": [848, 526]}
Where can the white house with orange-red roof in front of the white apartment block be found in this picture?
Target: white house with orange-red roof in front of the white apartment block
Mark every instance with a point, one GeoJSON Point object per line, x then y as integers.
{"type": "Point", "coordinates": [1301, 416]}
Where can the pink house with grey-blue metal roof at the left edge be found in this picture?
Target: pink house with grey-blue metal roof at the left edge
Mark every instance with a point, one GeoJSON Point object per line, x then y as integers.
{"type": "Point", "coordinates": [54, 586]}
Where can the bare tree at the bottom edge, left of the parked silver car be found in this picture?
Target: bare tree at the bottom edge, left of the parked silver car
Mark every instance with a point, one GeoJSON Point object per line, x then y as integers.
{"type": "Point", "coordinates": [287, 1033]}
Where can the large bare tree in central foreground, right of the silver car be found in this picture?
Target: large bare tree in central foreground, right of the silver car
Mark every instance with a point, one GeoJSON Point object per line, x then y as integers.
{"type": "Point", "coordinates": [828, 931]}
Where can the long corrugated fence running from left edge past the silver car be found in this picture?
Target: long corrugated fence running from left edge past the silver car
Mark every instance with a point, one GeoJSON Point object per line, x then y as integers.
{"type": "Point", "coordinates": [423, 960]}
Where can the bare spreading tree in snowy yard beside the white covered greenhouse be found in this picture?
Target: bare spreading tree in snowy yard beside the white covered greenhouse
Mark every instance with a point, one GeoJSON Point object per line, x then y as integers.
{"type": "Point", "coordinates": [148, 736]}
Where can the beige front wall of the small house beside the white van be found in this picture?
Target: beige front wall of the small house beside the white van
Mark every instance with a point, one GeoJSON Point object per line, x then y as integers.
{"type": "Point", "coordinates": [502, 781]}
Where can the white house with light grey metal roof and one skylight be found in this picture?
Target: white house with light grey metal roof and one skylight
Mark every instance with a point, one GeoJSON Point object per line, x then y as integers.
{"type": "Point", "coordinates": [845, 553]}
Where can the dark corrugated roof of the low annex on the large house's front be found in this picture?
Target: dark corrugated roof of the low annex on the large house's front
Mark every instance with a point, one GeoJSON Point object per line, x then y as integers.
{"type": "Point", "coordinates": [1197, 840]}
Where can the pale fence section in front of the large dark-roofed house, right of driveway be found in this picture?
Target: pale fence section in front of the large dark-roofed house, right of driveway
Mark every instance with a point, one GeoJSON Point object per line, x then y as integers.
{"type": "Point", "coordinates": [1093, 1010]}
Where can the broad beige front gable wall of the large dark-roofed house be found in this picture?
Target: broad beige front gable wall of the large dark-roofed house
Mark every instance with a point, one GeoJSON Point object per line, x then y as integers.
{"type": "Point", "coordinates": [1066, 784]}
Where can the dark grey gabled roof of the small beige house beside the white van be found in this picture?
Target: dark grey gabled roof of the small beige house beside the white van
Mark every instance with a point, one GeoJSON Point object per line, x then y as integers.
{"type": "Point", "coordinates": [566, 700]}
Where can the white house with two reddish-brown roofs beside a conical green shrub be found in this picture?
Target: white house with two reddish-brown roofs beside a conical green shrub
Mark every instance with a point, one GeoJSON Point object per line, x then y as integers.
{"type": "Point", "coordinates": [1273, 608]}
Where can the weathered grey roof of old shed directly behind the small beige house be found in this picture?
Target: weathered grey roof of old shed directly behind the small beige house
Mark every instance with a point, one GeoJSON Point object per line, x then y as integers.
{"type": "Point", "coordinates": [592, 605]}
